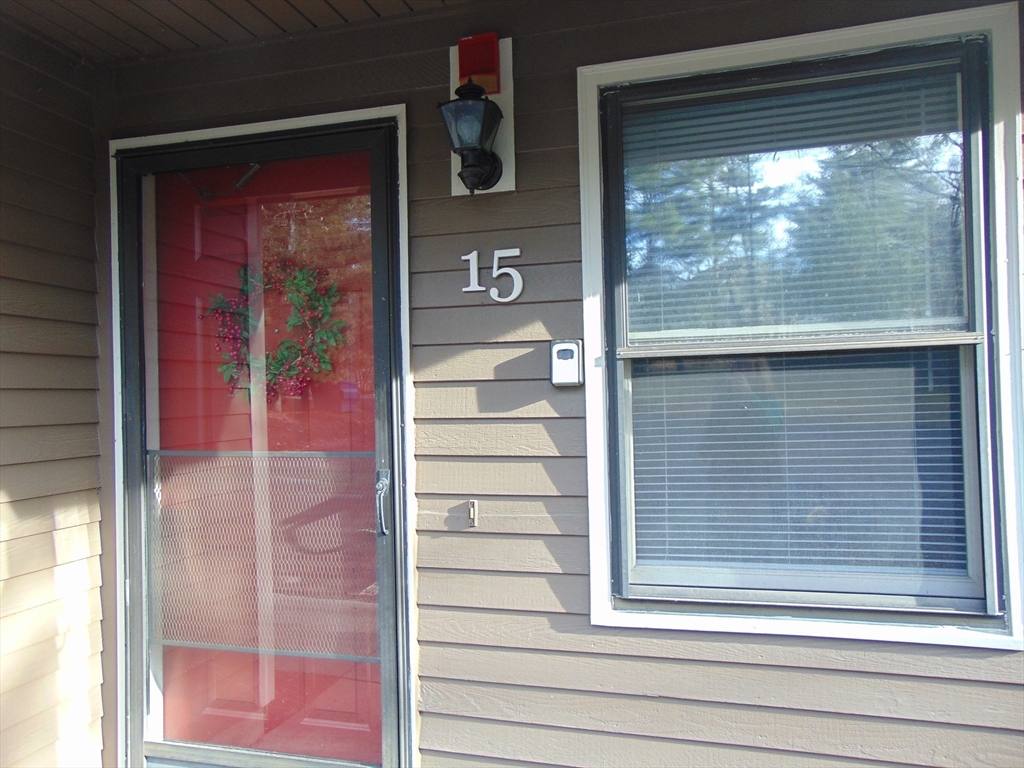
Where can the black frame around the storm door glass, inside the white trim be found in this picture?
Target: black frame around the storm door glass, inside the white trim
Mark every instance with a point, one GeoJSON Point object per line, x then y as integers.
{"type": "Point", "coordinates": [380, 139]}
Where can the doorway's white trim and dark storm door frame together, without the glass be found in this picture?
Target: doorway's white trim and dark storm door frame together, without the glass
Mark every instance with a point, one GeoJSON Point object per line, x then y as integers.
{"type": "Point", "coordinates": [381, 133]}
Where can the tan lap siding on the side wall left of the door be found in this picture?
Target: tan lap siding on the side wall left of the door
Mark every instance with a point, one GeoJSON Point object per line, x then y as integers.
{"type": "Point", "coordinates": [50, 511]}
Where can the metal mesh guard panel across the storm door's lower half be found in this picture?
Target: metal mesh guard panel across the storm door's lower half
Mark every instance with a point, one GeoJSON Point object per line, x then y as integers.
{"type": "Point", "coordinates": [268, 553]}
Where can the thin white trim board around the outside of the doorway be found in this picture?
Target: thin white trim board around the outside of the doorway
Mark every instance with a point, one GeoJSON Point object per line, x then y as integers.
{"type": "Point", "coordinates": [407, 392]}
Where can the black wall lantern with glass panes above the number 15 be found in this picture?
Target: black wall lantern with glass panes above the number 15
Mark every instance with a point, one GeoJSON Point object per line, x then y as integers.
{"type": "Point", "coordinates": [473, 120]}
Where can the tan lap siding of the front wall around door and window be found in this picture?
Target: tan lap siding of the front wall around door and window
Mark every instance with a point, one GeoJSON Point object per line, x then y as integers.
{"type": "Point", "coordinates": [511, 672]}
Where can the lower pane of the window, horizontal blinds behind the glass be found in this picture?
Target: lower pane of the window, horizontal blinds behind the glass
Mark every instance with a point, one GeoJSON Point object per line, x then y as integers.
{"type": "Point", "coordinates": [824, 463]}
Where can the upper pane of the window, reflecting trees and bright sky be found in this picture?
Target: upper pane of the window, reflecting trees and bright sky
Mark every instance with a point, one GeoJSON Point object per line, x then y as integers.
{"type": "Point", "coordinates": [835, 209]}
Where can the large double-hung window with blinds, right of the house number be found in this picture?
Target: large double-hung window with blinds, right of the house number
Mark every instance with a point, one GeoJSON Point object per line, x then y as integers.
{"type": "Point", "coordinates": [800, 389]}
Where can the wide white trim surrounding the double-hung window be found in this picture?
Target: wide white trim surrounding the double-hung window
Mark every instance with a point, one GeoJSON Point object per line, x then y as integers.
{"type": "Point", "coordinates": [1000, 24]}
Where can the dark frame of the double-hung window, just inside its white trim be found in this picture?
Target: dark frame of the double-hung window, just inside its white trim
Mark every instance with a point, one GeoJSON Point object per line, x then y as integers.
{"type": "Point", "coordinates": [968, 58]}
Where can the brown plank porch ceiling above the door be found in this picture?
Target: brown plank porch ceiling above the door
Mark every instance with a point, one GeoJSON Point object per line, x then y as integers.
{"type": "Point", "coordinates": [101, 31]}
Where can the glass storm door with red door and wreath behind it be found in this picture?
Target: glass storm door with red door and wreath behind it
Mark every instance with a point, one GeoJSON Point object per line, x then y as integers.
{"type": "Point", "coordinates": [268, 526]}
